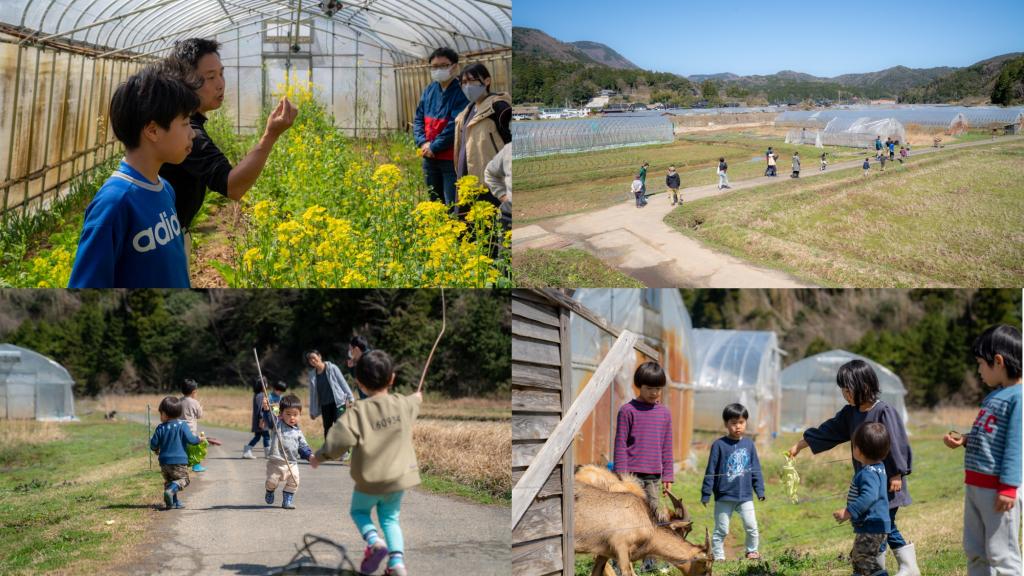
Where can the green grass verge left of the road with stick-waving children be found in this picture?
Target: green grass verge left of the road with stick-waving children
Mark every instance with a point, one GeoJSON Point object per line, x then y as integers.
{"type": "Point", "coordinates": [73, 496]}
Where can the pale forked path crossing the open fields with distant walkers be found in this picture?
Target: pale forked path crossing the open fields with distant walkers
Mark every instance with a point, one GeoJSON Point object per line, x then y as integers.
{"type": "Point", "coordinates": [639, 243]}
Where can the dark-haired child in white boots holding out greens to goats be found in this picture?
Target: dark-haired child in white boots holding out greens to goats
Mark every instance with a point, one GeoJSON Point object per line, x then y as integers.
{"type": "Point", "coordinates": [860, 386]}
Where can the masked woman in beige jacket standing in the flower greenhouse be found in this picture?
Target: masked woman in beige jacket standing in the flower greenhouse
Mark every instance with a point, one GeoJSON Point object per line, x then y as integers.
{"type": "Point", "coordinates": [483, 129]}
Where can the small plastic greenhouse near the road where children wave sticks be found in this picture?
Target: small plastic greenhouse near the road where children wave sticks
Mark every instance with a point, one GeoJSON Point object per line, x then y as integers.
{"type": "Point", "coordinates": [33, 387]}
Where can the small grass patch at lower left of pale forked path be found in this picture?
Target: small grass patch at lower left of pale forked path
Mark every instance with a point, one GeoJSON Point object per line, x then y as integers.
{"type": "Point", "coordinates": [566, 269]}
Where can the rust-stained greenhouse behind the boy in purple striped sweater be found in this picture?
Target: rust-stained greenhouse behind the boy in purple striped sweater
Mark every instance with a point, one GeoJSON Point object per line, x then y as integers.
{"type": "Point", "coordinates": [660, 317]}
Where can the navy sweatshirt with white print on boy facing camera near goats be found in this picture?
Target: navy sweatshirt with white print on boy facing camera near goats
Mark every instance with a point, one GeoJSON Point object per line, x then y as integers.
{"type": "Point", "coordinates": [734, 472]}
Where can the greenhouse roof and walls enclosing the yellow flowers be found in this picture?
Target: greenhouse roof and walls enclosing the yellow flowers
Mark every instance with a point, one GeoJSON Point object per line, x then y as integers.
{"type": "Point", "coordinates": [62, 61]}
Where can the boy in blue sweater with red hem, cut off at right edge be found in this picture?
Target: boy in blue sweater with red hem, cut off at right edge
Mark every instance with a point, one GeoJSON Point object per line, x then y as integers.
{"type": "Point", "coordinates": [993, 460]}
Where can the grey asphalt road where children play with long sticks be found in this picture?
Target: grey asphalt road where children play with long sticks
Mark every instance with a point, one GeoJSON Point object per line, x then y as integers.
{"type": "Point", "coordinates": [228, 529]}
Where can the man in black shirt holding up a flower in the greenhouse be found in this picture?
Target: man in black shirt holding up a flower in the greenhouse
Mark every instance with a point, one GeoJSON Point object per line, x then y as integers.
{"type": "Point", "coordinates": [207, 168]}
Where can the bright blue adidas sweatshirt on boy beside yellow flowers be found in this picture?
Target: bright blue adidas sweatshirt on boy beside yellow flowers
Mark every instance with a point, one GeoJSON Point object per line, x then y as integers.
{"type": "Point", "coordinates": [132, 237]}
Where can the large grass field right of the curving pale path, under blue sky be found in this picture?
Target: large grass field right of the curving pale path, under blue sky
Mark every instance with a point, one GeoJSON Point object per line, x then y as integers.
{"type": "Point", "coordinates": [950, 219]}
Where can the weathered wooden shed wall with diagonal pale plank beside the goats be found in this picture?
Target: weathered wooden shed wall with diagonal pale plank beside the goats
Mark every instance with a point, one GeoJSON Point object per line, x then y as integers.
{"type": "Point", "coordinates": [546, 417]}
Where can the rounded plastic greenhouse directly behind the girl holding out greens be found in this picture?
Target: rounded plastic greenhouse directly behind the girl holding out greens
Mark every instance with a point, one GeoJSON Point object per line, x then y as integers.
{"type": "Point", "coordinates": [812, 397]}
